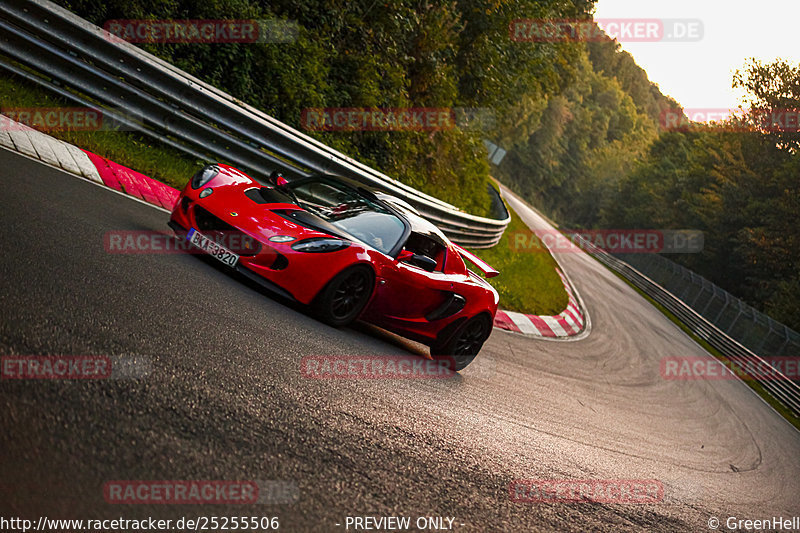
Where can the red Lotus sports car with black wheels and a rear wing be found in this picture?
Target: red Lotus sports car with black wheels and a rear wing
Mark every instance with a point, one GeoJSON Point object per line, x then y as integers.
{"type": "Point", "coordinates": [346, 251]}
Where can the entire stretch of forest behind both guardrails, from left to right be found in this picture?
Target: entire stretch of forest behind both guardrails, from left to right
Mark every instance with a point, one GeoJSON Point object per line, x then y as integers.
{"type": "Point", "coordinates": [581, 121]}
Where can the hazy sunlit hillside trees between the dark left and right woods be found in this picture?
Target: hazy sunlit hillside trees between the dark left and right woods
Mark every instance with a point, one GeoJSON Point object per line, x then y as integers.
{"type": "Point", "coordinates": [588, 136]}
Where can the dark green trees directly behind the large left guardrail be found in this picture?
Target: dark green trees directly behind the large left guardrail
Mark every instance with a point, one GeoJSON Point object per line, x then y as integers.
{"type": "Point", "coordinates": [369, 53]}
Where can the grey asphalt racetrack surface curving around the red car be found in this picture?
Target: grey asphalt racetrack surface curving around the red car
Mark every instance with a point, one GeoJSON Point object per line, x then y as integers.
{"type": "Point", "coordinates": [225, 398]}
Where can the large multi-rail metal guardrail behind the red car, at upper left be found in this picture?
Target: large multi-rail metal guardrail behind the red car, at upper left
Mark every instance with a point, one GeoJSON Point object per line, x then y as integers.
{"type": "Point", "coordinates": [65, 51]}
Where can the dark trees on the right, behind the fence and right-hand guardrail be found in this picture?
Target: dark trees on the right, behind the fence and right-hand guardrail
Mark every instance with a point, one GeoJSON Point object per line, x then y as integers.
{"type": "Point", "coordinates": [741, 186]}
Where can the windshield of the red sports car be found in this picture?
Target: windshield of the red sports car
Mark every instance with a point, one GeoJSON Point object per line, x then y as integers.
{"type": "Point", "coordinates": [350, 211]}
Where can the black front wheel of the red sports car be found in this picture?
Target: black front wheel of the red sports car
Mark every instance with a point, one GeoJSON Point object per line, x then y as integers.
{"type": "Point", "coordinates": [344, 297]}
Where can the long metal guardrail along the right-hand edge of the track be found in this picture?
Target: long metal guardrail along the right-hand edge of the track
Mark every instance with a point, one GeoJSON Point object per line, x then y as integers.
{"type": "Point", "coordinates": [780, 387]}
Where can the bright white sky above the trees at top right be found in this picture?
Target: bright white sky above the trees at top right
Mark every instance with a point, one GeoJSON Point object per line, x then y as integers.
{"type": "Point", "coordinates": [698, 74]}
